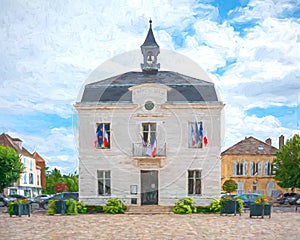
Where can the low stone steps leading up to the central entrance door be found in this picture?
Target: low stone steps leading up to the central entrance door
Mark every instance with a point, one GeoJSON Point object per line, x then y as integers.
{"type": "Point", "coordinates": [149, 209]}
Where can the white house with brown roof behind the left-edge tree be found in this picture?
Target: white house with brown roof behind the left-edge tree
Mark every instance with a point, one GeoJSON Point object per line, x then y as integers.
{"type": "Point", "coordinates": [30, 183]}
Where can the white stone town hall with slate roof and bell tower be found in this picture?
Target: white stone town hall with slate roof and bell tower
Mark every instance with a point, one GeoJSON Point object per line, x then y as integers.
{"type": "Point", "coordinates": [150, 144]}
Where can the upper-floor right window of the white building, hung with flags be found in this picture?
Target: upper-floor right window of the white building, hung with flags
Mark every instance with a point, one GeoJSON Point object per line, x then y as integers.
{"type": "Point", "coordinates": [195, 136]}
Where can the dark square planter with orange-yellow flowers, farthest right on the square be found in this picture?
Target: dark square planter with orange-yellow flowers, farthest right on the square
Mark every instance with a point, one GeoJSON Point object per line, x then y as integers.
{"type": "Point", "coordinates": [260, 207]}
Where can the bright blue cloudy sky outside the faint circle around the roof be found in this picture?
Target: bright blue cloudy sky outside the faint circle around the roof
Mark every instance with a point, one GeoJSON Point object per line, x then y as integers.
{"type": "Point", "coordinates": [49, 48]}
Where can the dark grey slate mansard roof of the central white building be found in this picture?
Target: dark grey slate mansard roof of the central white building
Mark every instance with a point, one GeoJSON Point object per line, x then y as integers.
{"type": "Point", "coordinates": [183, 88]}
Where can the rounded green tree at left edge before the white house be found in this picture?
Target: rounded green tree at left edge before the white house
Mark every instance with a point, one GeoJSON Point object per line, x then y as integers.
{"type": "Point", "coordinates": [11, 167]}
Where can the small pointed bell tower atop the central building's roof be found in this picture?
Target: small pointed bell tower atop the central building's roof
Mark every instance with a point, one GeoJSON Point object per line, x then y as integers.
{"type": "Point", "coordinates": [150, 51]}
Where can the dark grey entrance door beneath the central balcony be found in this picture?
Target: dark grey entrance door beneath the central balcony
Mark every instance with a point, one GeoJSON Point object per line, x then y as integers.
{"type": "Point", "coordinates": [149, 187]}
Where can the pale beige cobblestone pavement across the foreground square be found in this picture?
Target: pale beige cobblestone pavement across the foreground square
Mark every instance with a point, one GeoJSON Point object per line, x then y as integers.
{"type": "Point", "coordinates": [281, 225]}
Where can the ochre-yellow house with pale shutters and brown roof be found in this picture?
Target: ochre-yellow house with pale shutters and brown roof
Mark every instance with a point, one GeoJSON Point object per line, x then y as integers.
{"type": "Point", "coordinates": [250, 164]}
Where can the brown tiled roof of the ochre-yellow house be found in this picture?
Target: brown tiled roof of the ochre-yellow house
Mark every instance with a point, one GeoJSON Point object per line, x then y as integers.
{"type": "Point", "coordinates": [250, 146]}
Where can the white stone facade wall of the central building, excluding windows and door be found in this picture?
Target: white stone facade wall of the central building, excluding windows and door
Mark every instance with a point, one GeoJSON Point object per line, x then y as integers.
{"type": "Point", "coordinates": [173, 136]}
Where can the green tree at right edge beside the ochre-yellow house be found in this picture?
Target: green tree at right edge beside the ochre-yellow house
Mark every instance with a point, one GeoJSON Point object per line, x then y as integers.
{"type": "Point", "coordinates": [287, 164]}
